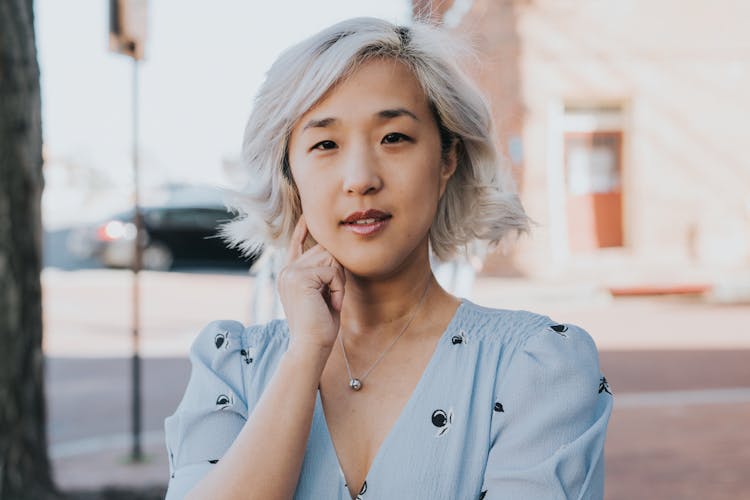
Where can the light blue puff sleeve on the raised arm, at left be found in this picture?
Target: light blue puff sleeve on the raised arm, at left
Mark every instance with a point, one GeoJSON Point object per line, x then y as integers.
{"type": "Point", "coordinates": [213, 409]}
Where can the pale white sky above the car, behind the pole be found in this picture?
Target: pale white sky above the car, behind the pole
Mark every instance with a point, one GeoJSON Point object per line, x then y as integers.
{"type": "Point", "coordinates": [204, 63]}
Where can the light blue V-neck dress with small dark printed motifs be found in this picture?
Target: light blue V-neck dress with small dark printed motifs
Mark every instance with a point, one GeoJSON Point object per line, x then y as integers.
{"type": "Point", "coordinates": [512, 405]}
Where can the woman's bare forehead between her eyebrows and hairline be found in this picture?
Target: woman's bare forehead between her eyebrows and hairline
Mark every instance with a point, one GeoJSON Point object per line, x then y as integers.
{"type": "Point", "coordinates": [376, 85]}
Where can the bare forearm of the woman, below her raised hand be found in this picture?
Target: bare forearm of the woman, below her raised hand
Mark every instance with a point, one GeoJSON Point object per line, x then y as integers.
{"type": "Point", "coordinates": [265, 460]}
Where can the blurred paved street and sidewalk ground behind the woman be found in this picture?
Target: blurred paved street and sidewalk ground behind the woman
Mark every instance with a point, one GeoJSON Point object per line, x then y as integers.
{"type": "Point", "coordinates": [680, 371]}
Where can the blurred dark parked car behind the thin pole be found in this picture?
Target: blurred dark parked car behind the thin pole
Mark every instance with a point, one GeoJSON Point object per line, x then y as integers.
{"type": "Point", "coordinates": [171, 234]}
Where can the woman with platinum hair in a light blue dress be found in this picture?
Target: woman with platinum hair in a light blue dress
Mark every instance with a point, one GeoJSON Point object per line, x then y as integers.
{"type": "Point", "coordinates": [369, 149]}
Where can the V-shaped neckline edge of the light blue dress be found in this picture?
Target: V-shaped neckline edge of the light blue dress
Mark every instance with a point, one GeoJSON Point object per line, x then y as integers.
{"type": "Point", "coordinates": [406, 408]}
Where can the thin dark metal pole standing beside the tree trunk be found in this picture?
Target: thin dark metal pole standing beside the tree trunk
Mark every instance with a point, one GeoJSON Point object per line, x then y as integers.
{"type": "Point", "coordinates": [137, 453]}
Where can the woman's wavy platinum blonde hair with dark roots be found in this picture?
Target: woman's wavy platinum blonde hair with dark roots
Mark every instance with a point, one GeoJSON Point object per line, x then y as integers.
{"type": "Point", "coordinates": [479, 203]}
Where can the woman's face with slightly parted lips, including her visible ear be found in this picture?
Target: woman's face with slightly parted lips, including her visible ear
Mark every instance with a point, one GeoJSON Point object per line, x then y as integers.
{"type": "Point", "coordinates": [372, 143]}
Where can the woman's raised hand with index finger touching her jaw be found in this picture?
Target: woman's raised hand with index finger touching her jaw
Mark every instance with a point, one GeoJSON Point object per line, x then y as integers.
{"type": "Point", "coordinates": [311, 287]}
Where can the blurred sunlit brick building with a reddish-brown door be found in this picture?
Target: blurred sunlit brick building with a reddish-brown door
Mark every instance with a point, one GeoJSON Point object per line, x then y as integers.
{"type": "Point", "coordinates": [626, 126]}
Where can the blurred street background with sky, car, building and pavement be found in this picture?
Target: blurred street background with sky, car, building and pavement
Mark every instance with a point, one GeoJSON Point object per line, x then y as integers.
{"type": "Point", "coordinates": [624, 124]}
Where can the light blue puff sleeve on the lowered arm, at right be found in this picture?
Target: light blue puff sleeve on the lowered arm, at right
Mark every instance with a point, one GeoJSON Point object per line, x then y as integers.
{"type": "Point", "coordinates": [550, 420]}
